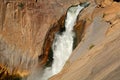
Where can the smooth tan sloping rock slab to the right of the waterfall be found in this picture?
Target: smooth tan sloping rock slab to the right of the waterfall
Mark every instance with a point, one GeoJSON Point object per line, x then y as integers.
{"type": "Point", "coordinates": [102, 61]}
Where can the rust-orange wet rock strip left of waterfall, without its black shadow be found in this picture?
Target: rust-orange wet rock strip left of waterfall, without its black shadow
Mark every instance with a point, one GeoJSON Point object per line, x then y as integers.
{"type": "Point", "coordinates": [50, 37]}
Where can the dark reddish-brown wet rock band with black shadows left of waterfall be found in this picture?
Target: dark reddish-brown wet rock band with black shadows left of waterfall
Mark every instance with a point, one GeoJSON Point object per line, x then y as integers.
{"type": "Point", "coordinates": [46, 58]}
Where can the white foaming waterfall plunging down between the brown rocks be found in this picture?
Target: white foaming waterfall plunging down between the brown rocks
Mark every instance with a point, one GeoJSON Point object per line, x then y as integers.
{"type": "Point", "coordinates": [63, 44]}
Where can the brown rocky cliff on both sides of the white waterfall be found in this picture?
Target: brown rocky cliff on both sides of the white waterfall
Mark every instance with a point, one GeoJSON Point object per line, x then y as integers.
{"type": "Point", "coordinates": [27, 30]}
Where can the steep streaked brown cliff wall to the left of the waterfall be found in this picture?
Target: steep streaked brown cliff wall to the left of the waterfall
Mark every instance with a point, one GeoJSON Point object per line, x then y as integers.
{"type": "Point", "coordinates": [23, 26]}
